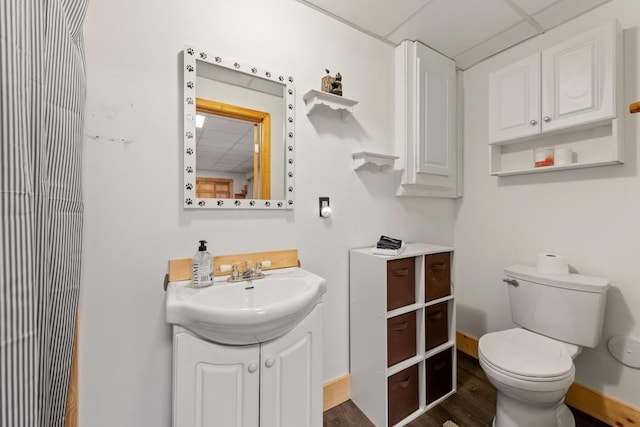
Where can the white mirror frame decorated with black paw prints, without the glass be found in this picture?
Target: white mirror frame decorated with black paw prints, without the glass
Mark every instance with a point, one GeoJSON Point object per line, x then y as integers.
{"type": "Point", "coordinates": [191, 55]}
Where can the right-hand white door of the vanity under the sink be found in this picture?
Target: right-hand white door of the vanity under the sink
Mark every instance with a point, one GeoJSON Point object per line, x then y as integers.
{"type": "Point", "coordinates": [291, 371]}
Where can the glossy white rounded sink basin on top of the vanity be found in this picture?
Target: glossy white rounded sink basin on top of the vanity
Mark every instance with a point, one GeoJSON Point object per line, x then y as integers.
{"type": "Point", "coordinates": [245, 312]}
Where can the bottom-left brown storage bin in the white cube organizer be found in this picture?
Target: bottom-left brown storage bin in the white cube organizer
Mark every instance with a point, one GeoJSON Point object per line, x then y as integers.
{"type": "Point", "coordinates": [402, 392]}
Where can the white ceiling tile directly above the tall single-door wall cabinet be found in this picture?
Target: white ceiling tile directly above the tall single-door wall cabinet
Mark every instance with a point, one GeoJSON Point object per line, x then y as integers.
{"type": "Point", "coordinates": [454, 26]}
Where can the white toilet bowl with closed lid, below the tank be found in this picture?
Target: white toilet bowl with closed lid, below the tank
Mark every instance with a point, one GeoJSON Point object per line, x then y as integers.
{"type": "Point", "coordinates": [532, 374]}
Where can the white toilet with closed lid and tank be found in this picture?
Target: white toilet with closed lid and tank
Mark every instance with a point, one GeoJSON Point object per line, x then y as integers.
{"type": "Point", "coordinates": [532, 366]}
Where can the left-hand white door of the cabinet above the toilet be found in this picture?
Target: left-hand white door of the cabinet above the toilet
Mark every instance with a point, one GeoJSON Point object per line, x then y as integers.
{"type": "Point", "coordinates": [514, 100]}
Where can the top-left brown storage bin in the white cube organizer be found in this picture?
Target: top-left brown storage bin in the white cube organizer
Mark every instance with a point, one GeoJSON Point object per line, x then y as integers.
{"type": "Point", "coordinates": [401, 283]}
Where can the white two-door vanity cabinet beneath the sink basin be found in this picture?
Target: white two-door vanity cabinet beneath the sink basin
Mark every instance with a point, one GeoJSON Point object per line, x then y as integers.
{"type": "Point", "coordinates": [276, 383]}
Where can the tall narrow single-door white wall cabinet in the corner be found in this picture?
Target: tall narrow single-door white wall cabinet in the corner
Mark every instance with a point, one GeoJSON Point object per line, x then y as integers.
{"type": "Point", "coordinates": [426, 122]}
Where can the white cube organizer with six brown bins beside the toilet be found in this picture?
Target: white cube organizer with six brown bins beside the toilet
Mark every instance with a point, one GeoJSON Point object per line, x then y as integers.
{"type": "Point", "coordinates": [402, 332]}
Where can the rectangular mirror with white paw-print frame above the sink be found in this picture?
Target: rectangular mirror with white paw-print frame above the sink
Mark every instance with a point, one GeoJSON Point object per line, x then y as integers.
{"type": "Point", "coordinates": [238, 134]}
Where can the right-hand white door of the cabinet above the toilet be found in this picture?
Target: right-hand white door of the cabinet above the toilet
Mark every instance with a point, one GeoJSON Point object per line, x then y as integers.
{"type": "Point", "coordinates": [577, 79]}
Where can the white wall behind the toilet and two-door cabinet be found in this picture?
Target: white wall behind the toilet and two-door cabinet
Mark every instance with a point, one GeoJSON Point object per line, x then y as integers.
{"type": "Point", "coordinates": [590, 215]}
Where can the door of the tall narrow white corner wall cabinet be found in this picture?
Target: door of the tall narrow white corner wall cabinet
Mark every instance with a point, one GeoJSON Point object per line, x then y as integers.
{"type": "Point", "coordinates": [436, 113]}
